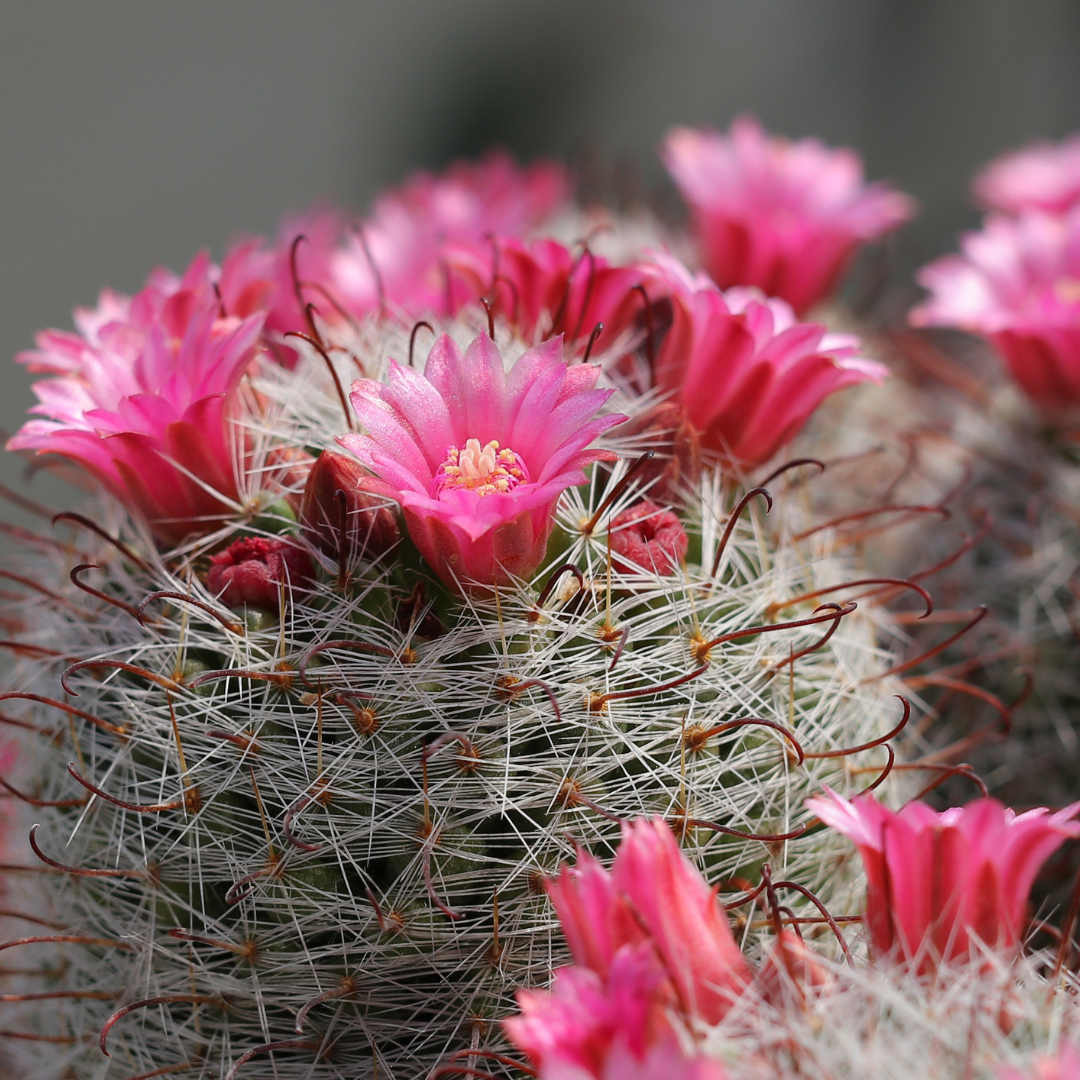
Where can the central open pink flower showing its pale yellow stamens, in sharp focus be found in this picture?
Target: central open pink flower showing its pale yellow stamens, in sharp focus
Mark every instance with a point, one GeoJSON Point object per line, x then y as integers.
{"type": "Point", "coordinates": [478, 456]}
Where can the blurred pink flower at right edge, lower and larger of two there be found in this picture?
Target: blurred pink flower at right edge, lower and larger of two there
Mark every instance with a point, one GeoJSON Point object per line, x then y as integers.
{"type": "Point", "coordinates": [1018, 283]}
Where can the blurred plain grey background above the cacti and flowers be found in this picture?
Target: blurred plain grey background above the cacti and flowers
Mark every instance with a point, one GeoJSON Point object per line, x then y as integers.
{"type": "Point", "coordinates": [136, 132]}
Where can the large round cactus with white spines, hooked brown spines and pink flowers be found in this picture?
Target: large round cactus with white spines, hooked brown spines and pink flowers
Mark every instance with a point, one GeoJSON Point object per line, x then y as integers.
{"type": "Point", "coordinates": [299, 773]}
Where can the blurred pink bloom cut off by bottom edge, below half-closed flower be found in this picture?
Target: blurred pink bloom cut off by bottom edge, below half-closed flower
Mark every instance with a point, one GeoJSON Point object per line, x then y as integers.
{"type": "Point", "coordinates": [619, 1028]}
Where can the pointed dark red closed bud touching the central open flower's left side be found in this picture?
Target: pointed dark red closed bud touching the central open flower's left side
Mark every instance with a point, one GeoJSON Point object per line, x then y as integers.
{"type": "Point", "coordinates": [337, 487]}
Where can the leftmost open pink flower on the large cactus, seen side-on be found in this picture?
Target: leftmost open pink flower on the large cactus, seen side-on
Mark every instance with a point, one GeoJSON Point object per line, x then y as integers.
{"type": "Point", "coordinates": [143, 397]}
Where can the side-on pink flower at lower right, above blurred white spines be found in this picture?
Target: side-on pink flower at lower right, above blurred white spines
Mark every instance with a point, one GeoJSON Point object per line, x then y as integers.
{"type": "Point", "coordinates": [936, 881]}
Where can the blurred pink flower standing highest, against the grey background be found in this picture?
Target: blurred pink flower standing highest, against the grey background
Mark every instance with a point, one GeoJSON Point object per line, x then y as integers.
{"type": "Point", "coordinates": [786, 218]}
